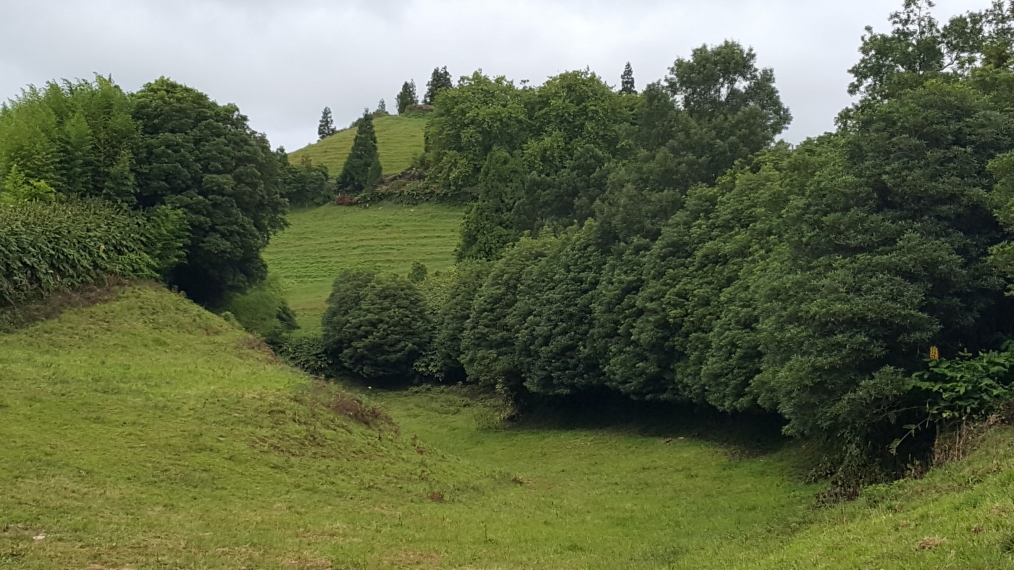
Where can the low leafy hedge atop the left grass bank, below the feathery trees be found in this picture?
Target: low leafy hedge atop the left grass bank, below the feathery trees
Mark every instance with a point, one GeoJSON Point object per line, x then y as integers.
{"type": "Point", "coordinates": [47, 248]}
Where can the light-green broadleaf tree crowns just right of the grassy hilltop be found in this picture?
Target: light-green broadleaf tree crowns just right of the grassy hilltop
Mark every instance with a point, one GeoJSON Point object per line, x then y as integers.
{"type": "Point", "coordinates": [536, 157]}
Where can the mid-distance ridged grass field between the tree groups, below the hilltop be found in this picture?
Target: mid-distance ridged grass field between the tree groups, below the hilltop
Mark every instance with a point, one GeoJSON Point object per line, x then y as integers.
{"type": "Point", "coordinates": [321, 243]}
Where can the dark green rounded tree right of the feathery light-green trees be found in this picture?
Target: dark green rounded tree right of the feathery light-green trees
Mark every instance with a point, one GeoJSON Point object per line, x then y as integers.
{"type": "Point", "coordinates": [204, 159]}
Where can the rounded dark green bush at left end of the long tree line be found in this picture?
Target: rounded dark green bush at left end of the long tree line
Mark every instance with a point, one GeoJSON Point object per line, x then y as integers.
{"type": "Point", "coordinates": [376, 326]}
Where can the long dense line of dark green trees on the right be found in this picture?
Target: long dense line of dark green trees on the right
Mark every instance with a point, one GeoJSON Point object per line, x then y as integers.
{"type": "Point", "coordinates": [666, 246]}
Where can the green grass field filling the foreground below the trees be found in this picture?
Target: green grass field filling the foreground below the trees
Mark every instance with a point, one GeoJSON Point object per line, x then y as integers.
{"type": "Point", "coordinates": [146, 433]}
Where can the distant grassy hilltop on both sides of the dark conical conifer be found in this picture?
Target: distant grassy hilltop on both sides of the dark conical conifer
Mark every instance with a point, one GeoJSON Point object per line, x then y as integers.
{"type": "Point", "coordinates": [400, 139]}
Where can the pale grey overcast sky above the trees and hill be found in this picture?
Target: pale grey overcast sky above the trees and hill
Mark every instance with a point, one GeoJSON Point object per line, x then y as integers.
{"type": "Point", "coordinates": [282, 61]}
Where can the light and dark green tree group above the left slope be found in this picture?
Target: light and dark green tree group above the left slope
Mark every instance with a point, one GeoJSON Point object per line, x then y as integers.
{"type": "Point", "coordinates": [166, 152]}
